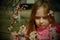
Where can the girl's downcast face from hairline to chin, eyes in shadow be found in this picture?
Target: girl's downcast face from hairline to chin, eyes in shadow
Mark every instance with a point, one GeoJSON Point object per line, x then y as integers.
{"type": "Point", "coordinates": [41, 17]}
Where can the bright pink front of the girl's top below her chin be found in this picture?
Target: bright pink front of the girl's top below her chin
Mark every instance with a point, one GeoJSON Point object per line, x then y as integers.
{"type": "Point", "coordinates": [43, 34]}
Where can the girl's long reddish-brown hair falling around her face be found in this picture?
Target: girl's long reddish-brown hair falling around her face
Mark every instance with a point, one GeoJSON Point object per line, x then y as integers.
{"type": "Point", "coordinates": [39, 3]}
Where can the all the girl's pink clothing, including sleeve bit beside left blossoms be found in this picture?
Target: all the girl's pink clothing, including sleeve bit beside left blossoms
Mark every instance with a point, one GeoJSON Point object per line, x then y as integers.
{"type": "Point", "coordinates": [44, 34]}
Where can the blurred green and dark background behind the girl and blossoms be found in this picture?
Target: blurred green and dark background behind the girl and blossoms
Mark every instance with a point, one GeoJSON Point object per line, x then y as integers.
{"type": "Point", "coordinates": [8, 8]}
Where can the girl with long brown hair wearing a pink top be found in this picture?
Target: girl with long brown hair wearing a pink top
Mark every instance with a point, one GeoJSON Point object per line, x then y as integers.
{"type": "Point", "coordinates": [42, 24]}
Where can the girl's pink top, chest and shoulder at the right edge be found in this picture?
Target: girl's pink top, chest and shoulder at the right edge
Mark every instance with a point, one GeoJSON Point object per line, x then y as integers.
{"type": "Point", "coordinates": [44, 34]}
